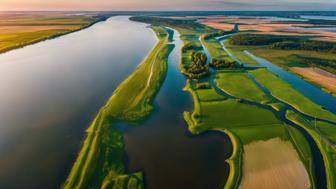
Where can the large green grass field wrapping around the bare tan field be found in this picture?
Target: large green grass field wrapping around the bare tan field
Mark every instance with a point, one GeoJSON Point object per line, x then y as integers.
{"type": "Point", "coordinates": [244, 124]}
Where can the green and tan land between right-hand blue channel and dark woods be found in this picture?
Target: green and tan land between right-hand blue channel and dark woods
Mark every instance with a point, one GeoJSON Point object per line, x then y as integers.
{"type": "Point", "coordinates": [299, 62]}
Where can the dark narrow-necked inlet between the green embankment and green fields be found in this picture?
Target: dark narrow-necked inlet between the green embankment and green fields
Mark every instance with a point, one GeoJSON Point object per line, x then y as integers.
{"type": "Point", "coordinates": [169, 155]}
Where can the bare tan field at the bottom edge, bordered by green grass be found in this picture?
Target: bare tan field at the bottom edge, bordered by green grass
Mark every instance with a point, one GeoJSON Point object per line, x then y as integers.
{"type": "Point", "coordinates": [273, 164]}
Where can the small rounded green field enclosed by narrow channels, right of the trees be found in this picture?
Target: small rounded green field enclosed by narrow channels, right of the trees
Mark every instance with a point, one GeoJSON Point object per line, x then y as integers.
{"type": "Point", "coordinates": [238, 84]}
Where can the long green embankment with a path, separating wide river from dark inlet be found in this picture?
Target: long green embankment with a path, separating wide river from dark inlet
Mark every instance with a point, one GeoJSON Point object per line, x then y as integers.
{"type": "Point", "coordinates": [100, 163]}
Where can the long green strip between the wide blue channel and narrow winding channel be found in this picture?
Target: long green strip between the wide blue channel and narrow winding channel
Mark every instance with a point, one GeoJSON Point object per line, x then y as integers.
{"type": "Point", "coordinates": [277, 87]}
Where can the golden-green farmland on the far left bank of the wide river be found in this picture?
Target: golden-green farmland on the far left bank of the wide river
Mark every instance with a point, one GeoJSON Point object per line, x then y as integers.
{"type": "Point", "coordinates": [29, 28]}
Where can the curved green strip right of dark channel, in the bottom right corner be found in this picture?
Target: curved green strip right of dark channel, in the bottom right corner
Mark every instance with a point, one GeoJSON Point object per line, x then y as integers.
{"type": "Point", "coordinates": [325, 146]}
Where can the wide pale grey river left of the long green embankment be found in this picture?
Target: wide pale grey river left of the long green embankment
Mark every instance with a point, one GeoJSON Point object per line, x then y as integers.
{"type": "Point", "coordinates": [51, 91]}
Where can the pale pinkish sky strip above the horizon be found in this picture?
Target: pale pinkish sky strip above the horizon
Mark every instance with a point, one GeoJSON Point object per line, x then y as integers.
{"type": "Point", "coordinates": [167, 4]}
